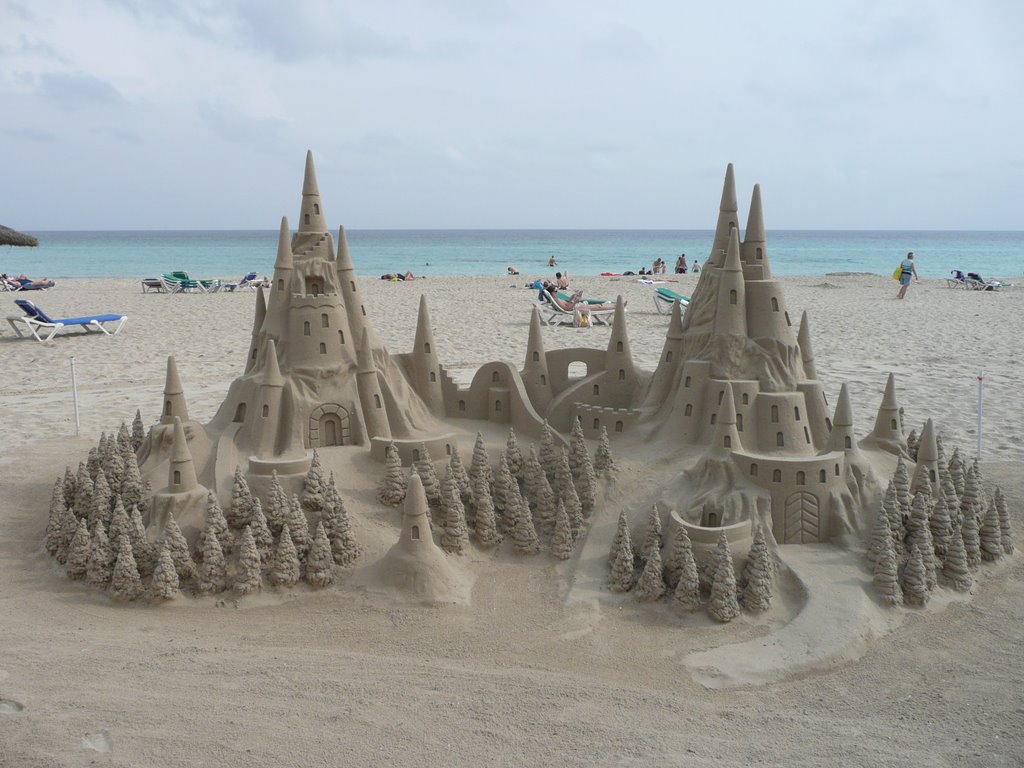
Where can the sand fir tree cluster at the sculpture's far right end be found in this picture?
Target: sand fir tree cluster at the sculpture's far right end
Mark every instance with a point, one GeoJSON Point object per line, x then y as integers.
{"type": "Point", "coordinates": [938, 535]}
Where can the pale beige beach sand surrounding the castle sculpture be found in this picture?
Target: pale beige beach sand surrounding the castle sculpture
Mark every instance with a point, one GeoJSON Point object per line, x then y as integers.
{"type": "Point", "coordinates": [533, 672]}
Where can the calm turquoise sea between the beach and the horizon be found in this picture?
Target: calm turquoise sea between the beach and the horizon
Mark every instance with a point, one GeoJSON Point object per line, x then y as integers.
{"type": "Point", "coordinates": [438, 252]}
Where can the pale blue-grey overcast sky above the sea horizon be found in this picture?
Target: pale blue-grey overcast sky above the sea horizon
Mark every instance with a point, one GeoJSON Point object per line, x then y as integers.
{"type": "Point", "coordinates": [487, 114]}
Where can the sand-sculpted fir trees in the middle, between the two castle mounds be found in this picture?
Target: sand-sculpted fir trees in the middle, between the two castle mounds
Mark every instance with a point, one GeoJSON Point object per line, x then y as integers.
{"type": "Point", "coordinates": [542, 500]}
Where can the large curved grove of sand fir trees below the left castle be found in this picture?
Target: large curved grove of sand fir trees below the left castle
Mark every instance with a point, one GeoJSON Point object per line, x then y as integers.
{"type": "Point", "coordinates": [96, 531]}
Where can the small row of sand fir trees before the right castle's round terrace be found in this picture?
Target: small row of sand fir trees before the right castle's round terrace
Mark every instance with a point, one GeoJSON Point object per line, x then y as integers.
{"type": "Point", "coordinates": [716, 587]}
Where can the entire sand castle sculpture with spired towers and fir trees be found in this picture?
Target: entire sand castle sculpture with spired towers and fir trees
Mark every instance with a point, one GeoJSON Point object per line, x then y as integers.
{"type": "Point", "coordinates": [760, 460]}
